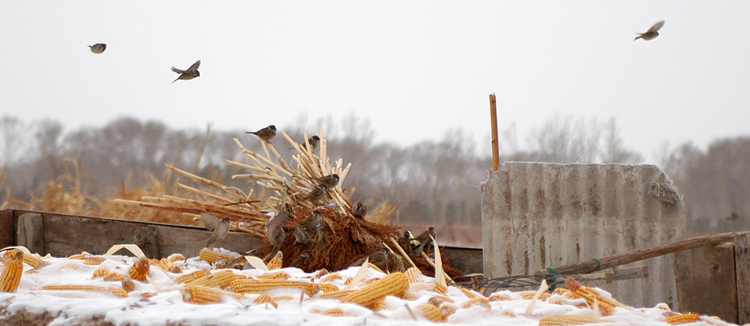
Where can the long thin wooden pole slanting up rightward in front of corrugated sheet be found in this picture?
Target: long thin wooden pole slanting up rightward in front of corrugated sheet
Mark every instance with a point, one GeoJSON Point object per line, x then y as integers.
{"type": "Point", "coordinates": [641, 254]}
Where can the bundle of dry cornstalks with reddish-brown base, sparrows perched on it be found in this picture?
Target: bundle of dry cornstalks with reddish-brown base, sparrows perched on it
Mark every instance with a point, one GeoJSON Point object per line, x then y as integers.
{"type": "Point", "coordinates": [340, 240]}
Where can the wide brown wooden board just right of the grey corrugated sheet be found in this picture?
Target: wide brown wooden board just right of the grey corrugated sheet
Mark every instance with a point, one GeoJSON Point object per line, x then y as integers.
{"type": "Point", "coordinates": [705, 281]}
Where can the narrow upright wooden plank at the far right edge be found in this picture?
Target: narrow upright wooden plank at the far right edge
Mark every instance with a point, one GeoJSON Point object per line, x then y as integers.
{"type": "Point", "coordinates": [742, 271]}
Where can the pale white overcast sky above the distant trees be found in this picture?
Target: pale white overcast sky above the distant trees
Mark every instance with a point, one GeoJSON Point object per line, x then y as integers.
{"type": "Point", "coordinates": [414, 69]}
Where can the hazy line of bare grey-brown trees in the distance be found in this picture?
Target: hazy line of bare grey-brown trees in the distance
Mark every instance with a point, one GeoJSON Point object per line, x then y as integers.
{"type": "Point", "coordinates": [432, 182]}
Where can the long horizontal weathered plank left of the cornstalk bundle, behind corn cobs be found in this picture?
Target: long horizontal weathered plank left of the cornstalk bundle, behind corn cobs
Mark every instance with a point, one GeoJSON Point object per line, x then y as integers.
{"type": "Point", "coordinates": [67, 235]}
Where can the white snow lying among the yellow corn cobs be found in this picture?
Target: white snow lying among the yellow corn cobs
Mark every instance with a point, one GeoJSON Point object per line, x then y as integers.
{"type": "Point", "coordinates": [167, 305]}
